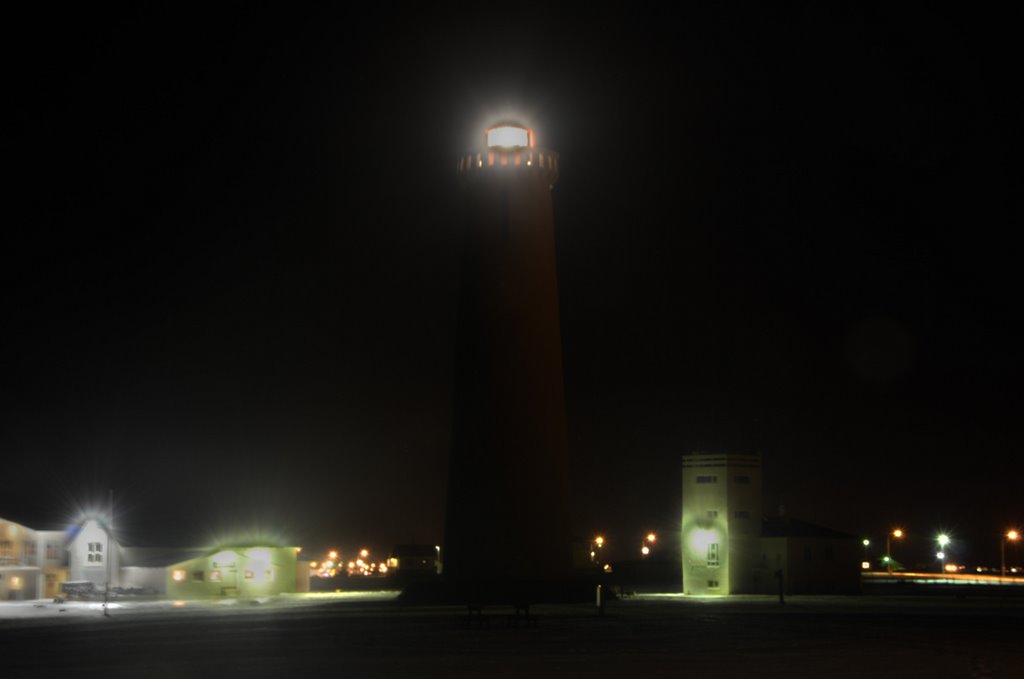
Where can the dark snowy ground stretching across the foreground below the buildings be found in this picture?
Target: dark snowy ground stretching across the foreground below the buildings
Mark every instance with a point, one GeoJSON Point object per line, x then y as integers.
{"type": "Point", "coordinates": [649, 636]}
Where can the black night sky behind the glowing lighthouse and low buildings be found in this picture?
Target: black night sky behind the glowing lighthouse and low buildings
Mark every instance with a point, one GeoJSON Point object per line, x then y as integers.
{"type": "Point", "coordinates": [230, 263]}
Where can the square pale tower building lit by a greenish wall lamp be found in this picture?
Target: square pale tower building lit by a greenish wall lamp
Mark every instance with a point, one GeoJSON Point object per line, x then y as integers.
{"type": "Point", "coordinates": [721, 523]}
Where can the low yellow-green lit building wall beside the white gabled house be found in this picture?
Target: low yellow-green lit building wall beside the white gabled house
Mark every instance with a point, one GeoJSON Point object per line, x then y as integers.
{"type": "Point", "coordinates": [235, 572]}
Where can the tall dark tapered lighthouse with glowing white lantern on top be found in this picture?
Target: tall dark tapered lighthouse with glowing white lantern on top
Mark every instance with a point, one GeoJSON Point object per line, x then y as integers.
{"type": "Point", "coordinates": [507, 526]}
